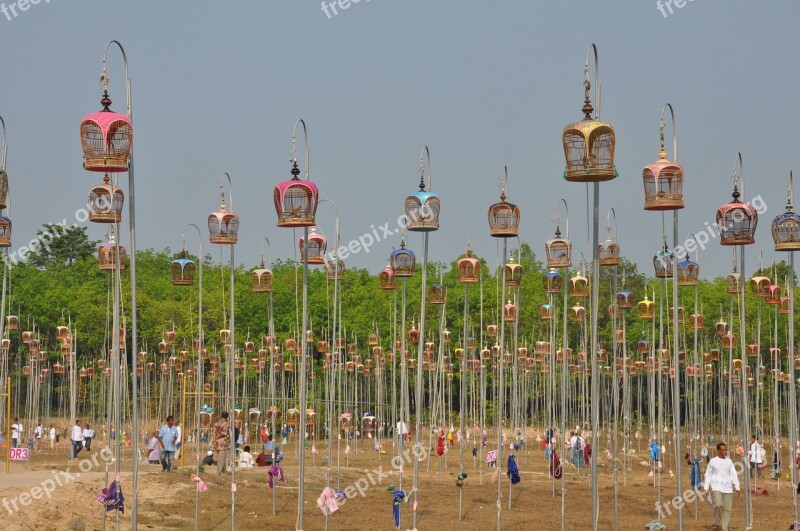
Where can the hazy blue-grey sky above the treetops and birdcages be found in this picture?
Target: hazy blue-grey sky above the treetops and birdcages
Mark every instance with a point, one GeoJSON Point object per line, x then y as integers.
{"type": "Point", "coordinates": [217, 86]}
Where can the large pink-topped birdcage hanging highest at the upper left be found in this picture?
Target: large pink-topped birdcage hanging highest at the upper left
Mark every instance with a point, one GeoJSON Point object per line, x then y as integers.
{"type": "Point", "coordinates": [106, 139]}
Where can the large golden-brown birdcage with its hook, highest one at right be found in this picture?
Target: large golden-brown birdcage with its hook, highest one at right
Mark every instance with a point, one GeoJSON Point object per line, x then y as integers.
{"type": "Point", "coordinates": [589, 143]}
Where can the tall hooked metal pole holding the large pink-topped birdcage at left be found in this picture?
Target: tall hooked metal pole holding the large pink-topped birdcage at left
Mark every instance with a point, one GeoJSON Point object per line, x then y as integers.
{"type": "Point", "coordinates": [134, 312]}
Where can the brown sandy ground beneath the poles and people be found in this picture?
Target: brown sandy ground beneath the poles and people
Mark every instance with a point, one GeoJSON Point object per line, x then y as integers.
{"type": "Point", "coordinates": [167, 501]}
